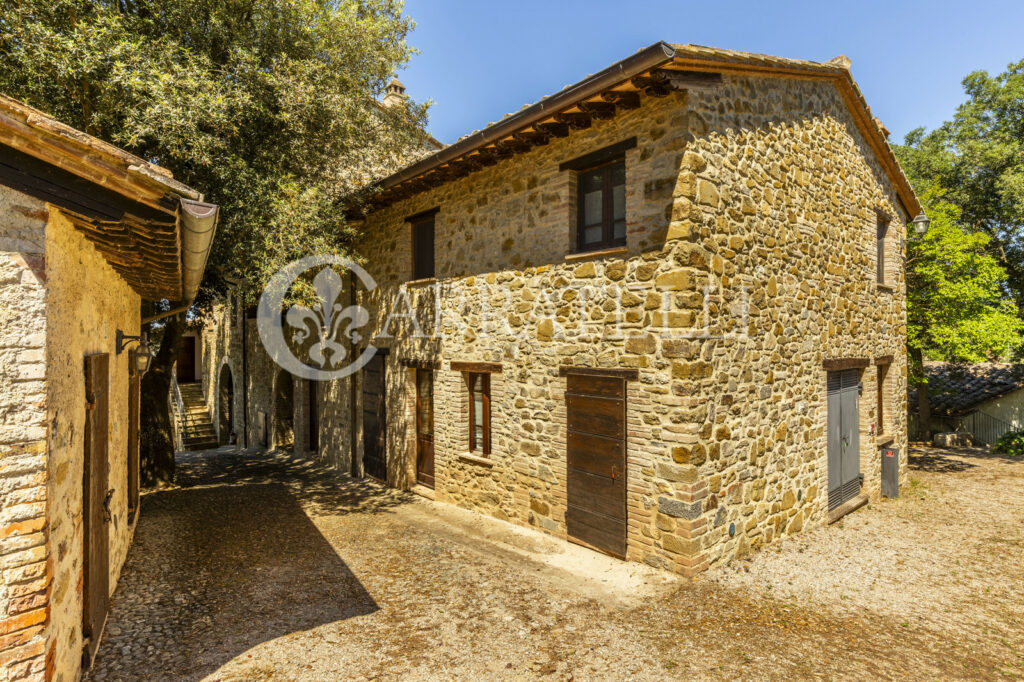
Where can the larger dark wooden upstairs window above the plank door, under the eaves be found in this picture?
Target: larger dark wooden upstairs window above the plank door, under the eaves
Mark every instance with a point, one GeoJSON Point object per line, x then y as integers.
{"type": "Point", "coordinates": [602, 210]}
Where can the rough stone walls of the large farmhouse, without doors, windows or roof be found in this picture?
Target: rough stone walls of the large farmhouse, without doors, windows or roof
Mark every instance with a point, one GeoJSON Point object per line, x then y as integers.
{"type": "Point", "coordinates": [750, 261]}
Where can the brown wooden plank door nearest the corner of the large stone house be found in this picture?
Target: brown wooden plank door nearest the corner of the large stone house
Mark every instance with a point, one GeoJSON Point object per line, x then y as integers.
{"type": "Point", "coordinates": [596, 462]}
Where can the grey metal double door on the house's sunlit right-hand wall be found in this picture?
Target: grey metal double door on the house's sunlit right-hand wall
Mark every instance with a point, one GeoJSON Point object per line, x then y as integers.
{"type": "Point", "coordinates": [844, 437]}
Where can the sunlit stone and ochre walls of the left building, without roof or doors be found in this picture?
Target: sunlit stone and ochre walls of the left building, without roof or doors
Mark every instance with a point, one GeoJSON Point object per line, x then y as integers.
{"type": "Point", "coordinates": [60, 302]}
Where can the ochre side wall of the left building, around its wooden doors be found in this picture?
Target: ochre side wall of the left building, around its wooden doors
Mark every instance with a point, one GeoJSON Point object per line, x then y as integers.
{"type": "Point", "coordinates": [87, 304]}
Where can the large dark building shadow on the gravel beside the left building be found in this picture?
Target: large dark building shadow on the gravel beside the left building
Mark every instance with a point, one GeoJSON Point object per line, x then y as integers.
{"type": "Point", "coordinates": [231, 561]}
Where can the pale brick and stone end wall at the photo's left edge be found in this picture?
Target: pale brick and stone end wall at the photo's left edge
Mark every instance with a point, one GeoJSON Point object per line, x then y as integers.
{"type": "Point", "coordinates": [25, 575]}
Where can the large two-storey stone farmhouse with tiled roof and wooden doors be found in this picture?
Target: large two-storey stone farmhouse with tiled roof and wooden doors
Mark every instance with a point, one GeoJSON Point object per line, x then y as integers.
{"type": "Point", "coordinates": [661, 314]}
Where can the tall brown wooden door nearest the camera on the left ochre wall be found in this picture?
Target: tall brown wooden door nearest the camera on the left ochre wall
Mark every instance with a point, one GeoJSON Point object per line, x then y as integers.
{"type": "Point", "coordinates": [96, 504]}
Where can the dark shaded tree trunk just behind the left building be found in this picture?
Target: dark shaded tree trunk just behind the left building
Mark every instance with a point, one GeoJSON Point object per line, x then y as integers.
{"type": "Point", "coordinates": [157, 435]}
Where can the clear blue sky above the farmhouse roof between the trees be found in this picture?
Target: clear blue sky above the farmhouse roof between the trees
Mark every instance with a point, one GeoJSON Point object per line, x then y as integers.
{"type": "Point", "coordinates": [480, 60]}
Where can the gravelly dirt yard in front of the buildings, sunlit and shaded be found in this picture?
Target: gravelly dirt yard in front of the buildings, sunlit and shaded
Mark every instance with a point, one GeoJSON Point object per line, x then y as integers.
{"type": "Point", "coordinates": [265, 568]}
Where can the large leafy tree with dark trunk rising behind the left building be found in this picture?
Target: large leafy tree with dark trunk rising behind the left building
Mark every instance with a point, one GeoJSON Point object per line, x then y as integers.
{"type": "Point", "coordinates": [266, 106]}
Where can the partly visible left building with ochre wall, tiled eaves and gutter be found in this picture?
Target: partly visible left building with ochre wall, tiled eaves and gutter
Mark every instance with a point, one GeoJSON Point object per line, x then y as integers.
{"type": "Point", "coordinates": [88, 232]}
